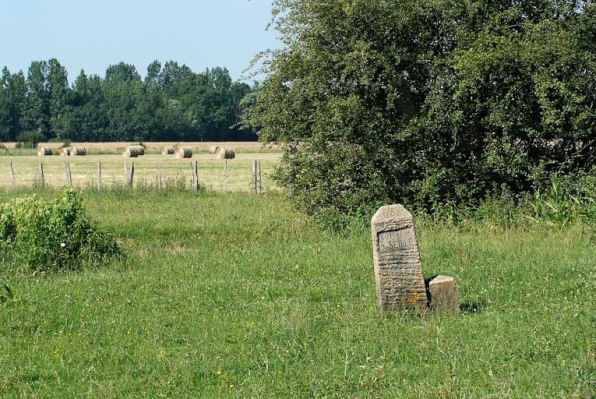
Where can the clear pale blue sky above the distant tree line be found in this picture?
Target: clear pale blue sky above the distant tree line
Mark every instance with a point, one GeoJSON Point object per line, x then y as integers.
{"type": "Point", "coordinates": [90, 35]}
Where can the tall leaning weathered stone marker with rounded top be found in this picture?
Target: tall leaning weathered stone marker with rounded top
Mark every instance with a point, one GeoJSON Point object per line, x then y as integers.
{"type": "Point", "coordinates": [398, 270]}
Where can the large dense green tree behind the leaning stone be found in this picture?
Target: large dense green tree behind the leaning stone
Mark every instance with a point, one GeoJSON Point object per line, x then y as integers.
{"type": "Point", "coordinates": [447, 101]}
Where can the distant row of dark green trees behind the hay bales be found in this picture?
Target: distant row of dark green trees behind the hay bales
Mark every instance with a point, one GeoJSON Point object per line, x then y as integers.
{"type": "Point", "coordinates": [172, 103]}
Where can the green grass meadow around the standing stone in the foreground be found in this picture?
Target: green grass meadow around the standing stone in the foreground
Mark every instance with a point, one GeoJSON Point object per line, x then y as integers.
{"type": "Point", "coordinates": [238, 296]}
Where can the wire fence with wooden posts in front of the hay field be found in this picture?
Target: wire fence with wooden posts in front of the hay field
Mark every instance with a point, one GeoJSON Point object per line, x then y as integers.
{"type": "Point", "coordinates": [241, 175]}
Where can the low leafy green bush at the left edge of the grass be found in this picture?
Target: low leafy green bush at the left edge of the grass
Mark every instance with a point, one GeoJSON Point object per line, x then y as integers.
{"type": "Point", "coordinates": [52, 235]}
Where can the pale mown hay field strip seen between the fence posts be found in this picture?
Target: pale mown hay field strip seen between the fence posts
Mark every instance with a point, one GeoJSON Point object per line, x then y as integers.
{"type": "Point", "coordinates": [175, 172]}
